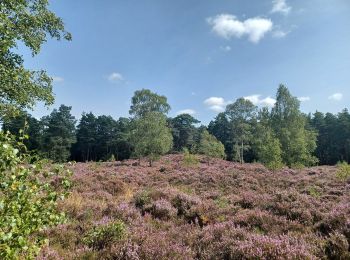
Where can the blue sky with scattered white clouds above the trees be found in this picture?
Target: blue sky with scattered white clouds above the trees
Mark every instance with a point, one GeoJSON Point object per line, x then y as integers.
{"type": "Point", "coordinates": [201, 54]}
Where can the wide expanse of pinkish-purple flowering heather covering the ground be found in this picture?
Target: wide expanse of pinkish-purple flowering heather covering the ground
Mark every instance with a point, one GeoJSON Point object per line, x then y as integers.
{"type": "Point", "coordinates": [219, 211]}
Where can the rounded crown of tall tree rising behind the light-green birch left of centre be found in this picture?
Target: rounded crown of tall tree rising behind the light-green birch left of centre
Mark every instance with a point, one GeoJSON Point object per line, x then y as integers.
{"type": "Point", "coordinates": [145, 101]}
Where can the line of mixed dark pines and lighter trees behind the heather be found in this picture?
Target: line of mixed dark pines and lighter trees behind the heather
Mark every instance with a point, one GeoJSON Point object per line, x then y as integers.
{"type": "Point", "coordinates": [279, 136]}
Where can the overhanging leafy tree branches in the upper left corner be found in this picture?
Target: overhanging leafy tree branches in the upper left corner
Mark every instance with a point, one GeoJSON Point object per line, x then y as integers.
{"type": "Point", "coordinates": [28, 22]}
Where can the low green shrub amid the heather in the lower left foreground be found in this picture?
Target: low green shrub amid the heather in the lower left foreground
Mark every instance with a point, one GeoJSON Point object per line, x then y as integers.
{"type": "Point", "coordinates": [102, 236]}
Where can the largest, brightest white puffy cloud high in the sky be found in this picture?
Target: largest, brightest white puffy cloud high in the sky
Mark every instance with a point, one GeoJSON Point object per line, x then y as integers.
{"type": "Point", "coordinates": [228, 26]}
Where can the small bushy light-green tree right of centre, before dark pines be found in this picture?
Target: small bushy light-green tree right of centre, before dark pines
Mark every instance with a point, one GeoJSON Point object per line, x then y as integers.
{"type": "Point", "coordinates": [210, 146]}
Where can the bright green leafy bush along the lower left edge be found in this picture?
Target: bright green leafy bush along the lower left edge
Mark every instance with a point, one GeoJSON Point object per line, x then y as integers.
{"type": "Point", "coordinates": [29, 193]}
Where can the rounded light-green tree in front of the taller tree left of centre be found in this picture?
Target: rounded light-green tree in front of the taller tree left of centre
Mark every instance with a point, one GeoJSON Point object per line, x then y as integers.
{"type": "Point", "coordinates": [151, 137]}
